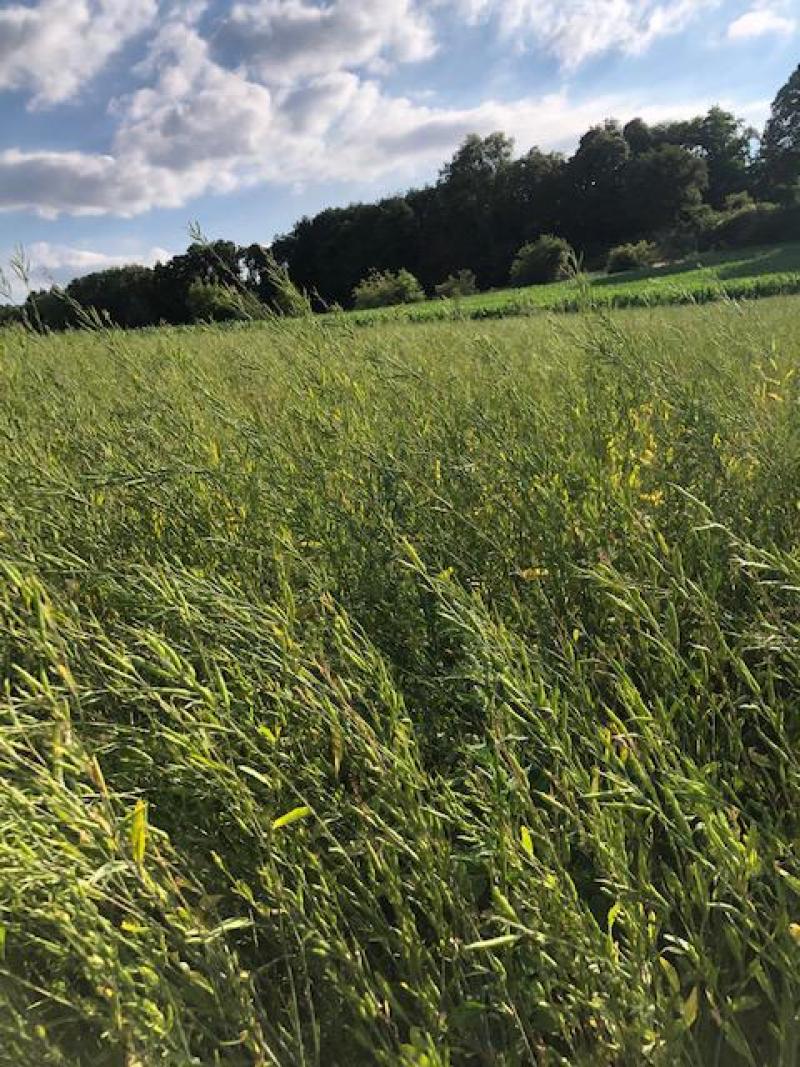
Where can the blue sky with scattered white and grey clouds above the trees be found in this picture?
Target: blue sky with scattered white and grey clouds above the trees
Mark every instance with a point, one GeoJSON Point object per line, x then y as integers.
{"type": "Point", "coordinates": [123, 121]}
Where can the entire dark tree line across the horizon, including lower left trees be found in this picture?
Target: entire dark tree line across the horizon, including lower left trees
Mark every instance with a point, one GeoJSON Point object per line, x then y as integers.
{"type": "Point", "coordinates": [702, 183]}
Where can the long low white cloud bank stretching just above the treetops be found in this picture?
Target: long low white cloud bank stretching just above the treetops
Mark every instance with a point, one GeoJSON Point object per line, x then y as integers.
{"type": "Point", "coordinates": [357, 133]}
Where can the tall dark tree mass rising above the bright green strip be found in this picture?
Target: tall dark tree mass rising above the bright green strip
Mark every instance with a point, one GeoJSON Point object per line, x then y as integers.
{"type": "Point", "coordinates": [674, 183]}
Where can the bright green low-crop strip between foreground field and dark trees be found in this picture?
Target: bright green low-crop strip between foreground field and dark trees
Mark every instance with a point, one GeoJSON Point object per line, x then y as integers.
{"type": "Point", "coordinates": [702, 279]}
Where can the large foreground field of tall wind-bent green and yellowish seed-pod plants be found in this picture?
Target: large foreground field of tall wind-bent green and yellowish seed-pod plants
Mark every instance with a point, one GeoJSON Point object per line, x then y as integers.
{"type": "Point", "coordinates": [417, 696]}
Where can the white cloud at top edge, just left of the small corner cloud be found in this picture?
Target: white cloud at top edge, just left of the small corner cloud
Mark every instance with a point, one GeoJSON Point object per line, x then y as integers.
{"type": "Point", "coordinates": [577, 30]}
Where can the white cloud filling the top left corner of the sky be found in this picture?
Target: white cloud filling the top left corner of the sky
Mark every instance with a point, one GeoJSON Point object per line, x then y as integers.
{"type": "Point", "coordinates": [54, 47]}
